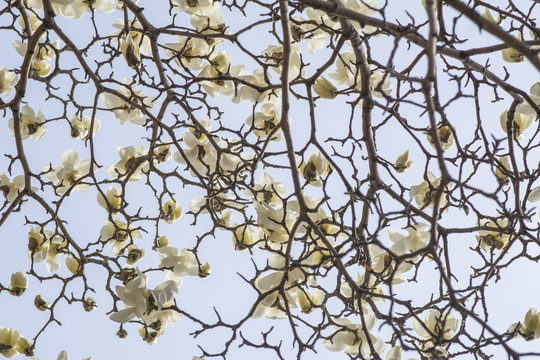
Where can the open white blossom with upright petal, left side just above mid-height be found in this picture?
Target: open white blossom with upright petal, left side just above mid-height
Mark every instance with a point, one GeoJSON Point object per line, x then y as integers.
{"type": "Point", "coordinates": [70, 173]}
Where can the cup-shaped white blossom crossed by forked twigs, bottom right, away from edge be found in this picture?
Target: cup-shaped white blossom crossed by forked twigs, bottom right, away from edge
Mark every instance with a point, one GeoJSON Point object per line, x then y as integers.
{"type": "Point", "coordinates": [436, 325]}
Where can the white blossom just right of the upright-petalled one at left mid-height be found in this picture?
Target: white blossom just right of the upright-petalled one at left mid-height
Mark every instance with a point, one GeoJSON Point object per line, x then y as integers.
{"type": "Point", "coordinates": [132, 163]}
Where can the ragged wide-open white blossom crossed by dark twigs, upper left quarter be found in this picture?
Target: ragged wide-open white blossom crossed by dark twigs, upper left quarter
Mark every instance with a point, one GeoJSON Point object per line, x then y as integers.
{"type": "Point", "coordinates": [131, 110]}
